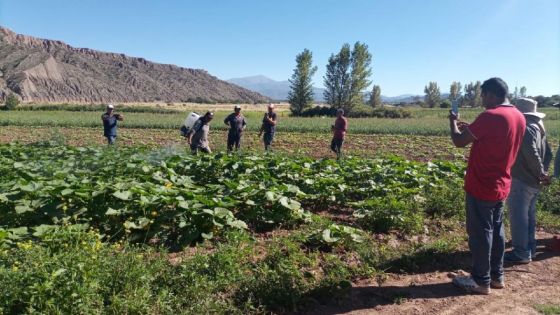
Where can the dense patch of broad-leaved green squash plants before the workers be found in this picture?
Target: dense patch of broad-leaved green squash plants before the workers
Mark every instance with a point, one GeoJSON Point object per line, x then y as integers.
{"type": "Point", "coordinates": [170, 197]}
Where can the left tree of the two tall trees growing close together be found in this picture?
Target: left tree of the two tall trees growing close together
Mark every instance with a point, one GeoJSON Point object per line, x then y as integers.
{"type": "Point", "coordinates": [337, 78]}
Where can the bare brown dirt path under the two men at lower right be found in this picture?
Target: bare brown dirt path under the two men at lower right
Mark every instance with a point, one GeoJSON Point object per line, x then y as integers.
{"type": "Point", "coordinates": [433, 293]}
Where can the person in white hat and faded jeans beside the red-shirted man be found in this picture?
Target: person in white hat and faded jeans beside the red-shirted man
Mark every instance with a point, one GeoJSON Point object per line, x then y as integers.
{"type": "Point", "coordinates": [529, 173]}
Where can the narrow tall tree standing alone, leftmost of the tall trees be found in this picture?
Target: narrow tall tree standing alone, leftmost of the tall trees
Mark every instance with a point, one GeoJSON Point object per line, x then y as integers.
{"type": "Point", "coordinates": [300, 96]}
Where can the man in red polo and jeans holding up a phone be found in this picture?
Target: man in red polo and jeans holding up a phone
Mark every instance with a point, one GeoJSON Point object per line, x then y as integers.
{"type": "Point", "coordinates": [496, 135]}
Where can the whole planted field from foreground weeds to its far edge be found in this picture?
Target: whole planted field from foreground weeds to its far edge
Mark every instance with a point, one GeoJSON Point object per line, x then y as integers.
{"type": "Point", "coordinates": [144, 227]}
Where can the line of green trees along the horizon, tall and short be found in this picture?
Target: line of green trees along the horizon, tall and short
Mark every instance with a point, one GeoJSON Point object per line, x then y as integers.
{"type": "Point", "coordinates": [348, 76]}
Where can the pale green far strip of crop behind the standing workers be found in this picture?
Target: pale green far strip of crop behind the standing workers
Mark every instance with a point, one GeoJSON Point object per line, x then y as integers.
{"type": "Point", "coordinates": [424, 122]}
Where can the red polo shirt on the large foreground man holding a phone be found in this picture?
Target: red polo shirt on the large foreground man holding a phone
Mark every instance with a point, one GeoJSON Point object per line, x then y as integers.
{"type": "Point", "coordinates": [498, 134]}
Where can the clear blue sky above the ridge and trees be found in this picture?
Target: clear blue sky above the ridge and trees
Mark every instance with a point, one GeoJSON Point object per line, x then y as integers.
{"type": "Point", "coordinates": [412, 42]}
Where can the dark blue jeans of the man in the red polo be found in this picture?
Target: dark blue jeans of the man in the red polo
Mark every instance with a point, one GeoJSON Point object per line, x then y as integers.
{"type": "Point", "coordinates": [486, 239]}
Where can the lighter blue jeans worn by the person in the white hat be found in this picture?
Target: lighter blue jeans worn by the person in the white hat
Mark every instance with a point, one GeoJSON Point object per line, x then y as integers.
{"type": "Point", "coordinates": [521, 202]}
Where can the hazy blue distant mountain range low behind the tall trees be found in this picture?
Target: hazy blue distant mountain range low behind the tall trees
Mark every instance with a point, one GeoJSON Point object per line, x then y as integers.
{"type": "Point", "coordinates": [278, 90]}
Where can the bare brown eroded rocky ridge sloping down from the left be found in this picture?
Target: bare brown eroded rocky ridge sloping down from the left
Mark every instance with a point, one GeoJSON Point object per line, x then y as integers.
{"type": "Point", "coordinates": [43, 70]}
